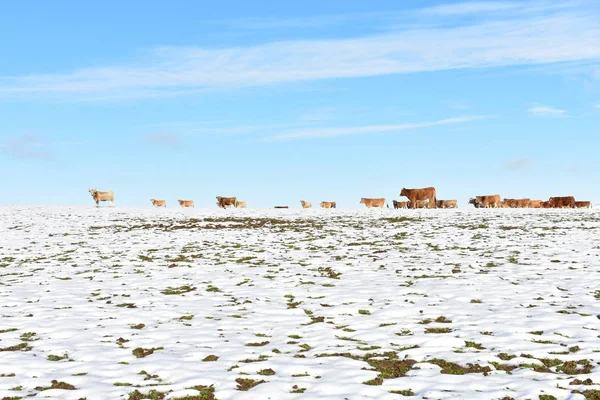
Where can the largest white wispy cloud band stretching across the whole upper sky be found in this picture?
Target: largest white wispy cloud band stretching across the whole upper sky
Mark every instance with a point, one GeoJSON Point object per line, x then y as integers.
{"type": "Point", "coordinates": [509, 40]}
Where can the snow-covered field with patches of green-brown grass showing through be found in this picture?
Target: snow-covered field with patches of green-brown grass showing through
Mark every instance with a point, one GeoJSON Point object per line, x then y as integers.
{"type": "Point", "coordinates": [117, 303]}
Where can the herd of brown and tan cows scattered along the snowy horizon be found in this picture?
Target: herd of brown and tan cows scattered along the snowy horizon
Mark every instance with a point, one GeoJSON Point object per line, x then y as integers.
{"type": "Point", "coordinates": [417, 198]}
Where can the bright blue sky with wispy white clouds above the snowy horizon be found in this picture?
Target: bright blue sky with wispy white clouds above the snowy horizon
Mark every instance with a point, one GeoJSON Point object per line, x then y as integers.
{"type": "Point", "coordinates": [275, 103]}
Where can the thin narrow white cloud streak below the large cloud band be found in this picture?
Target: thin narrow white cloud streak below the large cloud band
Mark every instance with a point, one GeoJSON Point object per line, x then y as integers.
{"type": "Point", "coordinates": [313, 133]}
